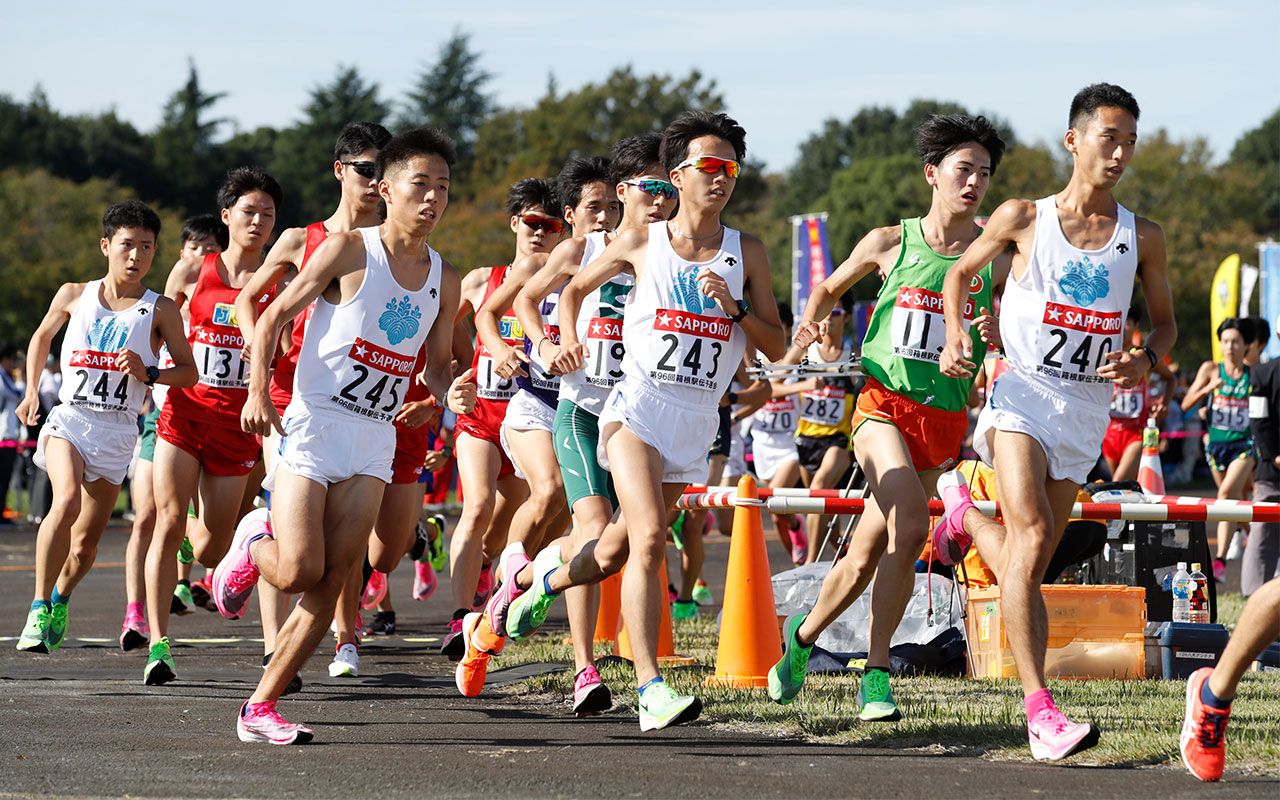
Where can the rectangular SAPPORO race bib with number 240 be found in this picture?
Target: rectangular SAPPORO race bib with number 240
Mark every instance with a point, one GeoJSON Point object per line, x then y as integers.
{"type": "Point", "coordinates": [1073, 342]}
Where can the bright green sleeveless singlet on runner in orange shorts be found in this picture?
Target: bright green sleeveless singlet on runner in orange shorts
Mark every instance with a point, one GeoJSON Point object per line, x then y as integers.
{"type": "Point", "coordinates": [907, 331]}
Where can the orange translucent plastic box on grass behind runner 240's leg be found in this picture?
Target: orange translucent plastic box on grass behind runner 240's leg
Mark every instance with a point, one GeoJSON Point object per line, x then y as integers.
{"type": "Point", "coordinates": [1094, 633]}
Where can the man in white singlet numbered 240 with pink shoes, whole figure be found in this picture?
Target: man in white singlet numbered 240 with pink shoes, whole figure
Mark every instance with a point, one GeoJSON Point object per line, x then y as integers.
{"type": "Point", "coordinates": [1076, 257]}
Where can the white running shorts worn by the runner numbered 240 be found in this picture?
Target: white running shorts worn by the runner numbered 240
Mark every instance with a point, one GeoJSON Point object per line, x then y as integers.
{"type": "Point", "coordinates": [1069, 435]}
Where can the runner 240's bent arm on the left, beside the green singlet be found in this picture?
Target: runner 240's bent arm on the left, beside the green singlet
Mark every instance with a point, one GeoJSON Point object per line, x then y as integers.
{"type": "Point", "coordinates": [1002, 234]}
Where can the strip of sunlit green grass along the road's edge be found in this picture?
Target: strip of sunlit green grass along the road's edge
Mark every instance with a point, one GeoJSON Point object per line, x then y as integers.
{"type": "Point", "coordinates": [1140, 720]}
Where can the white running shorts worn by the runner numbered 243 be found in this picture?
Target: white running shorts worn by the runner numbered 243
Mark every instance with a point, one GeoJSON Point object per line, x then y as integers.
{"type": "Point", "coordinates": [683, 435]}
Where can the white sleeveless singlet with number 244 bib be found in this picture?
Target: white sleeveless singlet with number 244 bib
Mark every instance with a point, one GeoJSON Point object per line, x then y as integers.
{"type": "Point", "coordinates": [95, 336]}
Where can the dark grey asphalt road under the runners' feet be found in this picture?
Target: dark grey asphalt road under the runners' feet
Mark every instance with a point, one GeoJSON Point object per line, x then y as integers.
{"type": "Point", "coordinates": [81, 724]}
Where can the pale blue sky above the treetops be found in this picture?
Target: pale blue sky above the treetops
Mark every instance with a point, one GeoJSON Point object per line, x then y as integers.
{"type": "Point", "coordinates": [1197, 68]}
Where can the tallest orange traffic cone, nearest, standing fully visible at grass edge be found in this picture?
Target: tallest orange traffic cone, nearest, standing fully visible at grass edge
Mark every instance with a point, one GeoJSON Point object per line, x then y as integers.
{"type": "Point", "coordinates": [749, 639]}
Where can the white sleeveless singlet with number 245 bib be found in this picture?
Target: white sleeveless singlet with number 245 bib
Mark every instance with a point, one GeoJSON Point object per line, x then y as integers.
{"type": "Point", "coordinates": [358, 359]}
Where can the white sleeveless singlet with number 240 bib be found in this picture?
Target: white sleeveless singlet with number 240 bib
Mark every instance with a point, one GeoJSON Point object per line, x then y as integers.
{"type": "Point", "coordinates": [1068, 310]}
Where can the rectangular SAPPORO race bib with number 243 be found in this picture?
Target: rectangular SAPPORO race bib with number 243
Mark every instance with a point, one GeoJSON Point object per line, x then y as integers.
{"type": "Point", "coordinates": [689, 349]}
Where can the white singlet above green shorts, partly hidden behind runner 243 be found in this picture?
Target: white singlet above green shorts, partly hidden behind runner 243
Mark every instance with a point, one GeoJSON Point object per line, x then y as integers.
{"type": "Point", "coordinates": [600, 331]}
